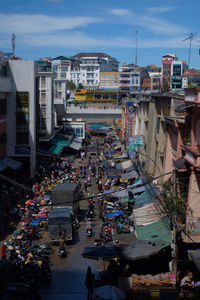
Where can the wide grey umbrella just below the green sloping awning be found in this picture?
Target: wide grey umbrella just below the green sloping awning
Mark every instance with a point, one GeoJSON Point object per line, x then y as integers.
{"type": "Point", "coordinates": [140, 249]}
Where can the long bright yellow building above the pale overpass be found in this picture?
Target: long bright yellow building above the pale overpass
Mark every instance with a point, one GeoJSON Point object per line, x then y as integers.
{"type": "Point", "coordinates": [96, 96]}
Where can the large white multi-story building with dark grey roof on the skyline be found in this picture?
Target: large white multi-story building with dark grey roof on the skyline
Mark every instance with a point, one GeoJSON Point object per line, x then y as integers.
{"type": "Point", "coordinates": [91, 64]}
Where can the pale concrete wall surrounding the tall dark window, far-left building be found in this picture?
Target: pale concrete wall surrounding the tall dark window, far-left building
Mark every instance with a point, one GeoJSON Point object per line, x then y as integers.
{"type": "Point", "coordinates": [23, 77]}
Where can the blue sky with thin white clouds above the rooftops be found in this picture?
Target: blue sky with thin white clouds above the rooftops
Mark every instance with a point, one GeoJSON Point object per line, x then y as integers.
{"type": "Point", "coordinates": [66, 27]}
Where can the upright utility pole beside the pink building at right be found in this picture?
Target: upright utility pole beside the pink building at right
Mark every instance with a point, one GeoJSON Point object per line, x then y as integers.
{"type": "Point", "coordinates": [174, 232]}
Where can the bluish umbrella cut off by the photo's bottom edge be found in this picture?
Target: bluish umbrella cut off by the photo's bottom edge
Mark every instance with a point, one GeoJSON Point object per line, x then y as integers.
{"type": "Point", "coordinates": [109, 292]}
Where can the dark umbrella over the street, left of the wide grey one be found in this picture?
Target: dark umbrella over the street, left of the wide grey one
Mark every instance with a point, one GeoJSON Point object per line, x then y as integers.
{"type": "Point", "coordinates": [105, 251]}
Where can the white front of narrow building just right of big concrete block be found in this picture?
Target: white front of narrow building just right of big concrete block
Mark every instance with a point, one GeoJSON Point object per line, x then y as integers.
{"type": "Point", "coordinates": [46, 94]}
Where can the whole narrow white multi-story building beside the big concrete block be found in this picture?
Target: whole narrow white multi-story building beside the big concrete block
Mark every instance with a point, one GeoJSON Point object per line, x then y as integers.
{"type": "Point", "coordinates": [45, 98]}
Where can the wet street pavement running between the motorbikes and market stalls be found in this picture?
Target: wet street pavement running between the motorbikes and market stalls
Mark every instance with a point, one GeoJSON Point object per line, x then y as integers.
{"type": "Point", "coordinates": [68, 274]}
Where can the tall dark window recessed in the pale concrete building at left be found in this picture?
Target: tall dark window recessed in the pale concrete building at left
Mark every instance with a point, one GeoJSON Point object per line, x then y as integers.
{"type": "Point", "coordinates": [22, 118]}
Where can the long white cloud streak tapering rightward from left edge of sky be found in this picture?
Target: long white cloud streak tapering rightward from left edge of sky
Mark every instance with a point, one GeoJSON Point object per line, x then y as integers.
{"type": "Point", "coordinates": [25, 23]}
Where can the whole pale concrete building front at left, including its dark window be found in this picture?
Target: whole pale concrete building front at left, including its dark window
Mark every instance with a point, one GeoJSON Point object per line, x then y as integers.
{"type": "Point", "coordinates": [23, 75]}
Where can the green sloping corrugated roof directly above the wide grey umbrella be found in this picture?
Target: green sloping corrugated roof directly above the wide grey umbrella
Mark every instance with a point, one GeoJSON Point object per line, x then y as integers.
{"type": "Point", "coordinates": [158, 231]}
